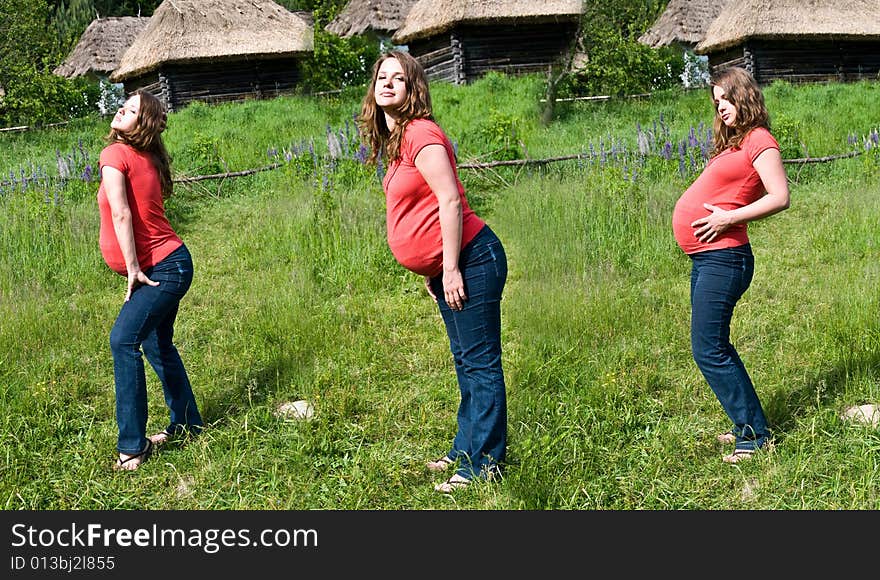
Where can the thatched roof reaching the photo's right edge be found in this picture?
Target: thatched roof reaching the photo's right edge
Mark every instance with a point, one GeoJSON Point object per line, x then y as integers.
{"type": "Point", "coordinates": [776, 19]}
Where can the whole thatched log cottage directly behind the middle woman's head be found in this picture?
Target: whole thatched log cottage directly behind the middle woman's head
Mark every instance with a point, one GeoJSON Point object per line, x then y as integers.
{"type": "Point", "coordinates": [459, 41]}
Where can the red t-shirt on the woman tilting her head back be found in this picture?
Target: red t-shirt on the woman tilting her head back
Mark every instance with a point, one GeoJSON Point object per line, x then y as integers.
{"type": "Point", "coordinates": [154, 238]}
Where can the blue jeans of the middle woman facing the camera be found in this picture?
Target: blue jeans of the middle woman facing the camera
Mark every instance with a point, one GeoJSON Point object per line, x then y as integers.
{"type": "Point", "coordinates": [474, 332]}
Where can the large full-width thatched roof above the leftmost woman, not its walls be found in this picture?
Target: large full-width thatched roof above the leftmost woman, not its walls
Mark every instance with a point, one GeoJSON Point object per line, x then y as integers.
{"type": "Point", "coordinates": [182, 31]}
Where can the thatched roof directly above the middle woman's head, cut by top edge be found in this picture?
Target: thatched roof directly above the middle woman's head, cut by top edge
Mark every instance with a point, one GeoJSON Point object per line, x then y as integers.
{"type": "Point", "coordinates": [431, 17]}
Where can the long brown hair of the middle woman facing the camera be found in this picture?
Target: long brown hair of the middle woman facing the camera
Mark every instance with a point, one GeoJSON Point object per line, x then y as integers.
{"type": "Point", "coordinates": [371, 122]}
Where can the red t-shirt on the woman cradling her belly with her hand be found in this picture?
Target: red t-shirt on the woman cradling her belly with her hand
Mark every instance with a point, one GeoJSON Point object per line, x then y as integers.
{"type": "Point", "coordinates": [729, 181]}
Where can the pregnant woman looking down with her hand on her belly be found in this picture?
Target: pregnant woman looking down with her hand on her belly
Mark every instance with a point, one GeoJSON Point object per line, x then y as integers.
{"type": "Point", "coordinates": [743, 181]}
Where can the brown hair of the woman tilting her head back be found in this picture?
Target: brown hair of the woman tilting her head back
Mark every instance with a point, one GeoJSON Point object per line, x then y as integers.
{"type": "Point", "coordinates": [147, 136]}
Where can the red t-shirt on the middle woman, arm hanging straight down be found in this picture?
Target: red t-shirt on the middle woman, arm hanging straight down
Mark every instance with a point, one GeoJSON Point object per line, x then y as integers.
{"type": "Point", "coordinates": [412, 212]}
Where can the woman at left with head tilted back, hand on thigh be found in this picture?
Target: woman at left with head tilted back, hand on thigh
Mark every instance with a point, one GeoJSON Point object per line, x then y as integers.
{"type": "Point", "coordinates": [138, 242]}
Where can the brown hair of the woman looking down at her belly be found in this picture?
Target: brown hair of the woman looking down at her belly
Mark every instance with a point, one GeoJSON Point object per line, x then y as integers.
{"type": "Point", "coordinates": [741, 89]}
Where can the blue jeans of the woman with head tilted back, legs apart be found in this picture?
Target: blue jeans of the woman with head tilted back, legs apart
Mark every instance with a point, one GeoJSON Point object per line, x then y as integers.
{"type": "Point", "coordinates": [147, 320]}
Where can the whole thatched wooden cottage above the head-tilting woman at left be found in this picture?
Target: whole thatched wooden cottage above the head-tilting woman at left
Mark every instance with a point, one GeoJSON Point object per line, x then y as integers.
{"type": "Point", "coordinates": [216, 51]}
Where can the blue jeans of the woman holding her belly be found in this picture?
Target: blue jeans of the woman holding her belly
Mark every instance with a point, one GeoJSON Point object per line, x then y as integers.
{"type": "Point", "coordinates": [718, 279]}
